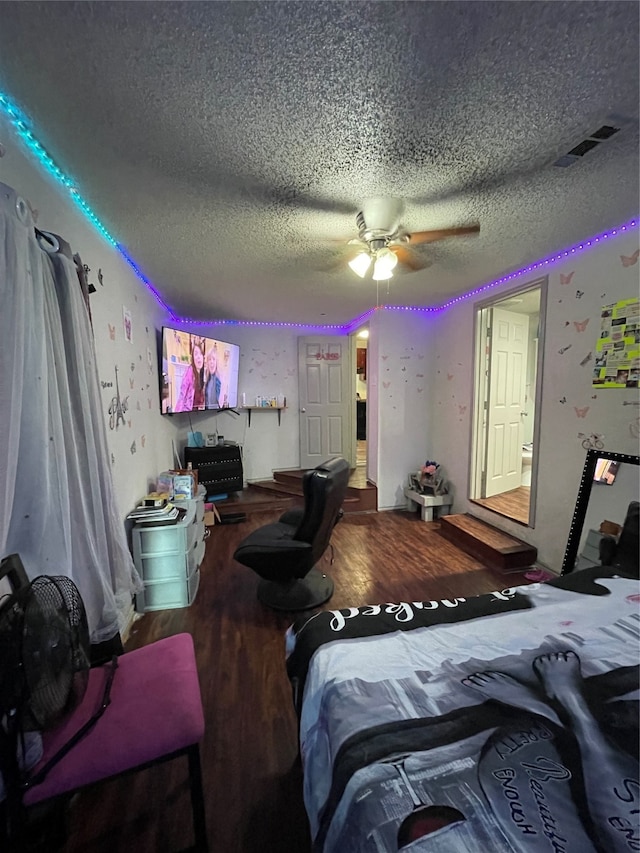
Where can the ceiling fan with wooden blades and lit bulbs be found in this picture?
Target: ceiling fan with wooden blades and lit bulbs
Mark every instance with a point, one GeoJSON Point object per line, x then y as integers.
{"type": "Point", "coordinates": [382, 243]}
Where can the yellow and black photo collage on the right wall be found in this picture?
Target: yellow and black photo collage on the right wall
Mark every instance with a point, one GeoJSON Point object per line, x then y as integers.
{"type": "Point", "coordinates": [617, 363]}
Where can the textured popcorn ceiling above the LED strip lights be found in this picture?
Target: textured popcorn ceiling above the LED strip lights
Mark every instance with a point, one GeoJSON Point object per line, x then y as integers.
{"type": "Point", "coordinates": [229, 145]}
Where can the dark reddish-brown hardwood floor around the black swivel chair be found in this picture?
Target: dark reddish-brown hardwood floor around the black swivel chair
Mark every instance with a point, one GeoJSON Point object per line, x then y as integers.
{"type": "Point", "coordinates": [252, 779]}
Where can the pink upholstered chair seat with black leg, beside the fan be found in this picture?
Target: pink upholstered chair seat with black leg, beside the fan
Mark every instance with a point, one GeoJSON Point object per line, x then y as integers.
{"type": "Point", "coordinates": [155, 715]}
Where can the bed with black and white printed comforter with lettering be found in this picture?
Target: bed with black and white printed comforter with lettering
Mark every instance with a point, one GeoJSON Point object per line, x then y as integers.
{"type": "Point", "coordinates": [503, 722]}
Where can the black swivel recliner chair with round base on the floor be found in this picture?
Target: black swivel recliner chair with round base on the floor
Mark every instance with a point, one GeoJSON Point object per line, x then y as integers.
{"type": "Point", "coordinates": [284, 554]}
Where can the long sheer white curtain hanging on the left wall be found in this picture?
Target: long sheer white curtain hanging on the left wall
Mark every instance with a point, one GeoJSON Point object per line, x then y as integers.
{"type": "Point", "coordinates": [57, 508]}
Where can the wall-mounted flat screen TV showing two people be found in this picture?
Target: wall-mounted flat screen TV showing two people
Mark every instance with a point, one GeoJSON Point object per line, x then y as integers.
{"type": "Point", "coordinates": [198, 373]}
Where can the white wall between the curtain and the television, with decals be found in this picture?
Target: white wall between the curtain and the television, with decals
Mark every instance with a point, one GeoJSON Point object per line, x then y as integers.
{"type": "Point", "coordinates": [142, 447]}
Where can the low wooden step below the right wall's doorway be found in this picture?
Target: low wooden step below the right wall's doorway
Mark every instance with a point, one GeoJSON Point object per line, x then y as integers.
{"type": "Point", "coordinates": [493, 547]}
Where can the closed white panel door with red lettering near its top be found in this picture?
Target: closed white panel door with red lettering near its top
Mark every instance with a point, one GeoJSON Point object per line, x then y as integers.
{"type": "Point", "coordinates": [324, 388]}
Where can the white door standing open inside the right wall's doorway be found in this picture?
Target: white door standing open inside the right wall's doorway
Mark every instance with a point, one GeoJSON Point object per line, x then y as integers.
{"type": "Point", "coordinates": [507, 379]}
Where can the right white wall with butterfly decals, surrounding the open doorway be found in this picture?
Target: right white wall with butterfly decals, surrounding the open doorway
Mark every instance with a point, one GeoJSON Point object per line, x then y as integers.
{"type": "Point", "coordinates": [570, 405]}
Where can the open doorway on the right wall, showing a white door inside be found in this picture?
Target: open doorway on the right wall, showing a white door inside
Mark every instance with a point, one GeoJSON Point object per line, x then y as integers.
{"type": "Point", "coordinates": [508, 367]}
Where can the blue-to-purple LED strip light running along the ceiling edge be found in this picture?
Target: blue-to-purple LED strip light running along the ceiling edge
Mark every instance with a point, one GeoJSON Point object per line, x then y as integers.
{"type": "Point", "coordinates": [19, 121]}
